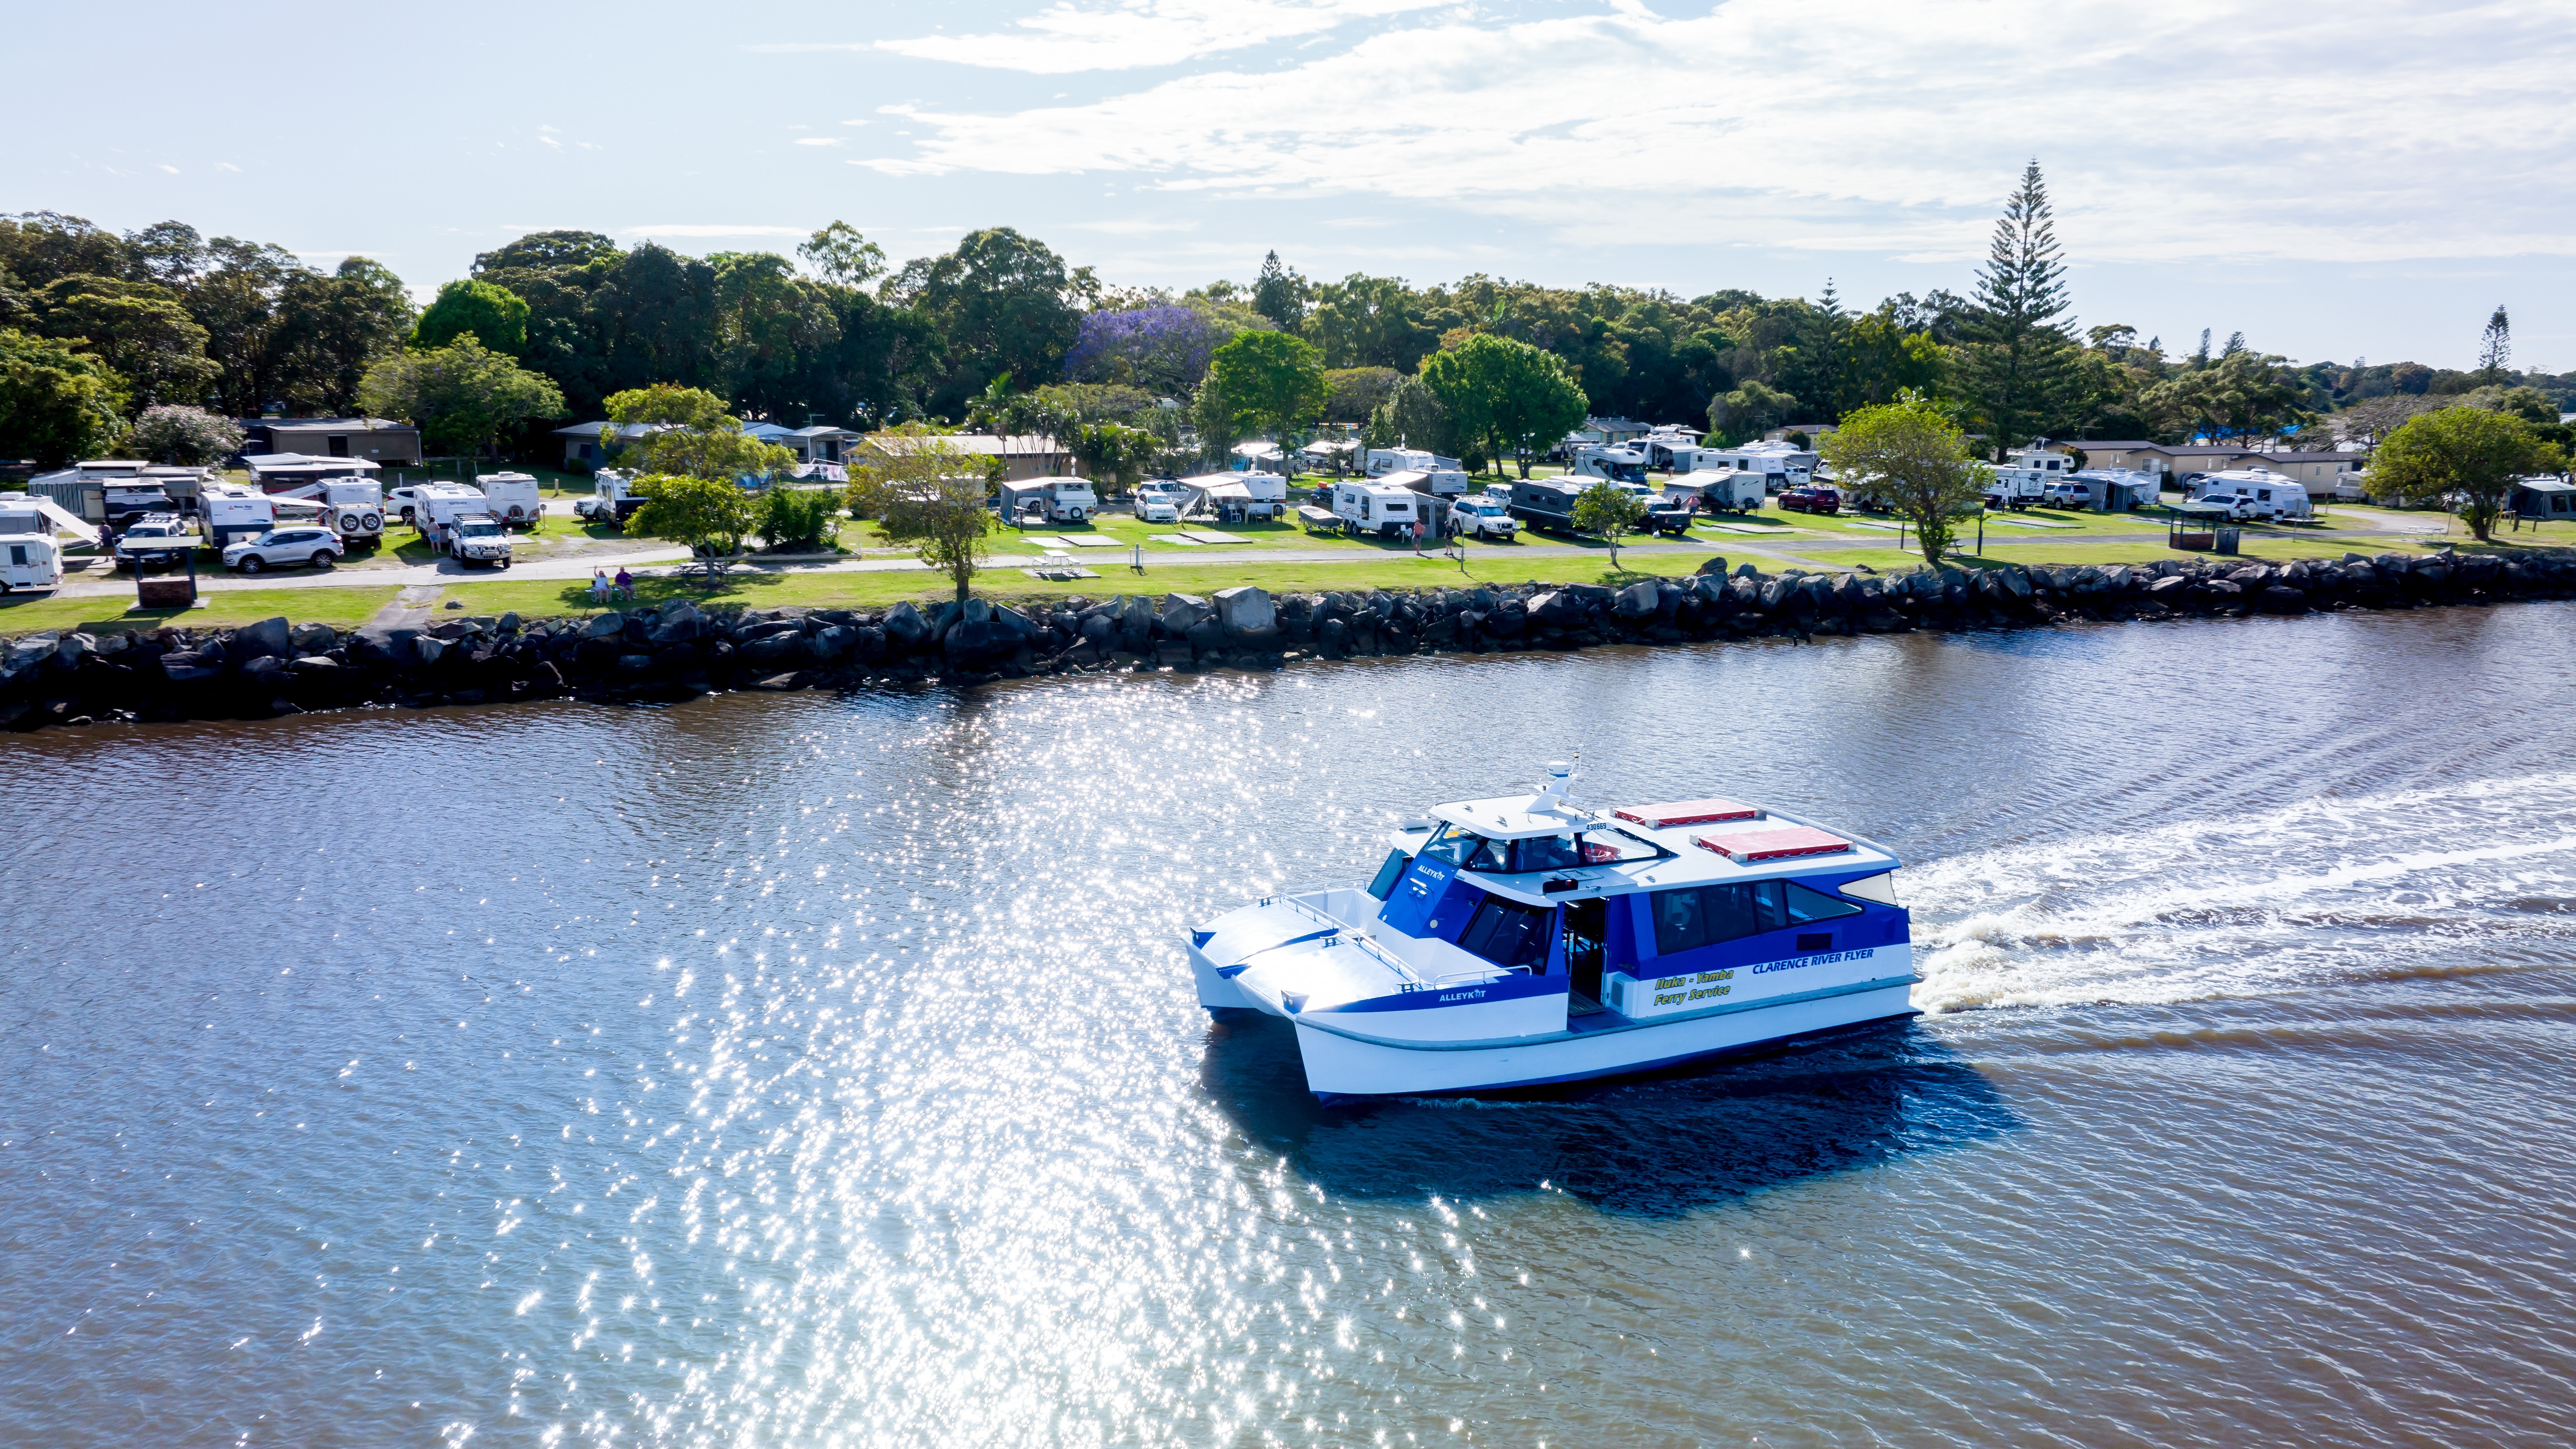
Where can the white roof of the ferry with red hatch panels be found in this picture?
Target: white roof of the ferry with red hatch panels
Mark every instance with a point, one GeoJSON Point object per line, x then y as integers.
{"type": "Point", "coordinates": [1740, 847]}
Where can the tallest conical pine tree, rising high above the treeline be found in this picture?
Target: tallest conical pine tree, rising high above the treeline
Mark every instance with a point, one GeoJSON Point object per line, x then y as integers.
{"type": "Point", "coordinates": [2018, 360]}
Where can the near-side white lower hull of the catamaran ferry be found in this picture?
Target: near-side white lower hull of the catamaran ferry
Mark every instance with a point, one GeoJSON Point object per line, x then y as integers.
{"type": "Point", "coordinates": [1341, 1064]}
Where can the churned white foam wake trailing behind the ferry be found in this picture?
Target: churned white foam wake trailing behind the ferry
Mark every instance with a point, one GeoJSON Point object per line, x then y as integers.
{"type": "Point", "coordinates": [2240, 906]}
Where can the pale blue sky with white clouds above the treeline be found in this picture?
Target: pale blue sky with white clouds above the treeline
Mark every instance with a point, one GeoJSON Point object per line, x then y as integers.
{"type": "Point", "coordinates": [2335, 182]}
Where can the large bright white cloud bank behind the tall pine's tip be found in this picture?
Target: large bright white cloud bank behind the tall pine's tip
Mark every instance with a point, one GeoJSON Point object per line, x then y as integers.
{"type": "Point", "coordinates": [2369, 133]}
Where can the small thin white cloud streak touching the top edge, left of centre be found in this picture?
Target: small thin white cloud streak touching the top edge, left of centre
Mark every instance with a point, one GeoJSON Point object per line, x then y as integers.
{"type": "Point", "coordinates": [1132, 35]}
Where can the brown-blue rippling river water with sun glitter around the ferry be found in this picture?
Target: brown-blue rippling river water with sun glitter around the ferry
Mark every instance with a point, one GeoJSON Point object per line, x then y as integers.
{"type": "Point", "coordinates": [826, 1071]}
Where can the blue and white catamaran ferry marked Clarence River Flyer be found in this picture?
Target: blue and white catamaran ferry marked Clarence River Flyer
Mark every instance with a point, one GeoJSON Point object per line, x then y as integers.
{"type": "Point", "coordinates": [1534, 940]}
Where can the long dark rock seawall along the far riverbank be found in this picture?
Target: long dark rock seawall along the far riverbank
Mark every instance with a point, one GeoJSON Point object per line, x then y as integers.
{"type": "Point", "coordinates": [681, 651]}
